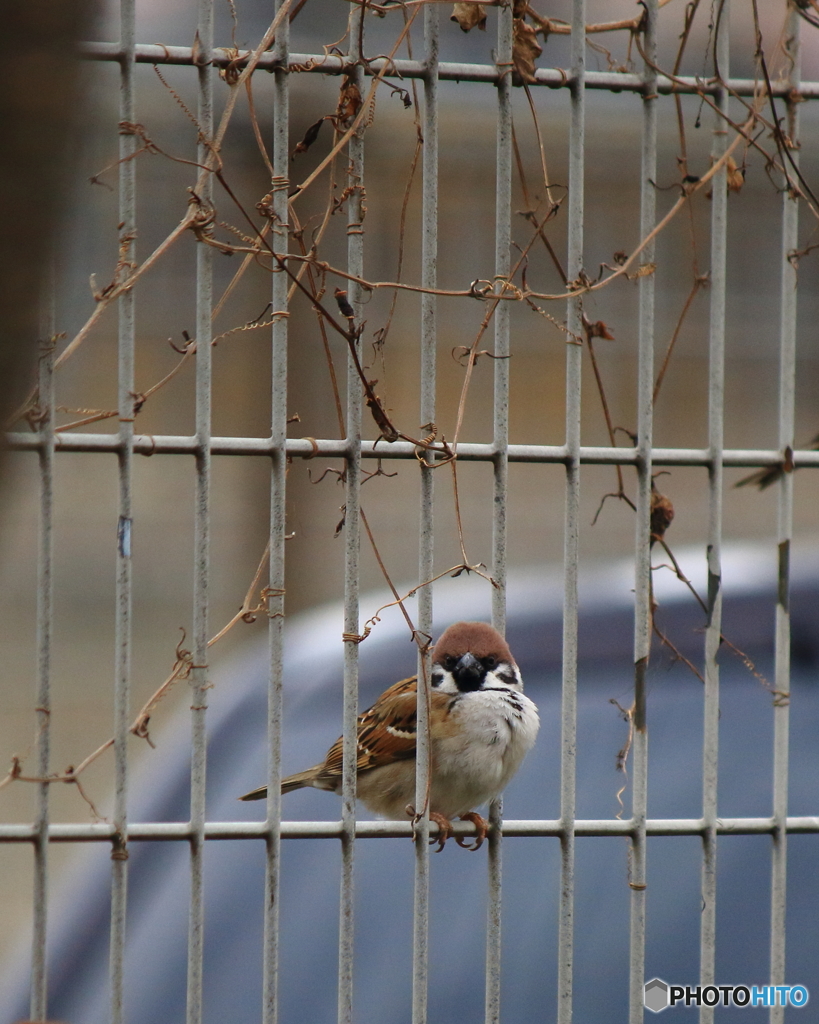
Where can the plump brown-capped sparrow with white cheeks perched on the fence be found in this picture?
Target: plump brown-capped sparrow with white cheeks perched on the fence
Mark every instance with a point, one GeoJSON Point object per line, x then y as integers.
{"type": "Point", "coordinates": [482, 726]}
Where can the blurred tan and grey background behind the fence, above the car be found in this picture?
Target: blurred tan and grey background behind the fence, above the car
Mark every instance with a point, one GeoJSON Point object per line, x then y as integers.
{"type": "Point", "coordinates": [87, 243]}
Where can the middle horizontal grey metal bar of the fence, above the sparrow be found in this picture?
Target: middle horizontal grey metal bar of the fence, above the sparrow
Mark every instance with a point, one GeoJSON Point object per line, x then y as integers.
{"type": "Point", "coordinates": [309, 448]}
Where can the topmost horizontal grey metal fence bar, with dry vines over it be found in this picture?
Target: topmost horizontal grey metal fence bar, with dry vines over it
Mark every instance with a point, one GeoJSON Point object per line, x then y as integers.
{"type": "Point", "coordinates": [448, 71]}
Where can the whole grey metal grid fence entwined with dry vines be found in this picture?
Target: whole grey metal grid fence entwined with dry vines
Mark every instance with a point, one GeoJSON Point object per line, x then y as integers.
{"type": "Point", "coordinates": [127, 446]}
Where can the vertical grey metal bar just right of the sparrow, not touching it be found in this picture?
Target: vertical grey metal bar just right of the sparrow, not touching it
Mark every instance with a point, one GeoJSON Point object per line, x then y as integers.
{"type": "Point", "coordinates": [569, 710]}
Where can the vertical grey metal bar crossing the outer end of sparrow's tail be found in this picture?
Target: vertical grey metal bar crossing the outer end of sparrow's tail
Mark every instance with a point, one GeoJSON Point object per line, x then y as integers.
{"type": "Point", "coordinates": [279, 418]}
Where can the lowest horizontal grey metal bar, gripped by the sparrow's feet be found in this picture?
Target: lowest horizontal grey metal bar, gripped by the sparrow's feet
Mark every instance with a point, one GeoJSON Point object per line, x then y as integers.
{"type": "Point", "coordinates": [182, 831]}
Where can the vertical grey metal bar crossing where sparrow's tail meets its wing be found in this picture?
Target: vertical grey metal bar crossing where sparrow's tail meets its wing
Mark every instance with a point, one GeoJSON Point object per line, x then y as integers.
{"type": "Point", "coordinates": [353, 547]}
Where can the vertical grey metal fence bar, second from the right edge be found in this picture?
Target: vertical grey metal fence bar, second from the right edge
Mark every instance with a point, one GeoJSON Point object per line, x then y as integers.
{"type": "Point", "coordinates": [719, 222]}
